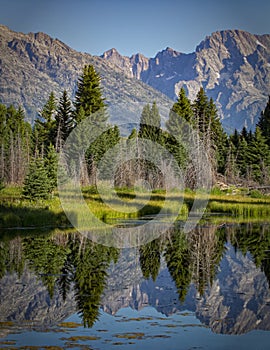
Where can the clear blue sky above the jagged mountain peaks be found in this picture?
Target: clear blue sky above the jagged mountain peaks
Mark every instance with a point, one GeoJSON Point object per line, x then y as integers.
{"type": "Point", "coordinates": [95, 26]}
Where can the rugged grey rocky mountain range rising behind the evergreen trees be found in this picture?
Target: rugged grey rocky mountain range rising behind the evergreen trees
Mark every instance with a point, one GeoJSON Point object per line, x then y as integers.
{"type": "Point", "coordinates": [233, 67]}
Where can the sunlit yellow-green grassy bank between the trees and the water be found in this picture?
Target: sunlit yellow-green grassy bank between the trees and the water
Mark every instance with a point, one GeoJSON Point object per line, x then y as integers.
{"type": "Point", "coordinates": [18, 212]}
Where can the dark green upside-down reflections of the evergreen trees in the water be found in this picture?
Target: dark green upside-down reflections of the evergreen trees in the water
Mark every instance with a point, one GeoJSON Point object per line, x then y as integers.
{"type": "Point", "coordinates": [69, 262]}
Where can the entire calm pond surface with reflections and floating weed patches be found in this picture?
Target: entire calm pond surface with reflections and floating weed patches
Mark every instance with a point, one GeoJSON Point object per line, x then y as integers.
{"type": "Point", "coordinates": [208, 289]}
